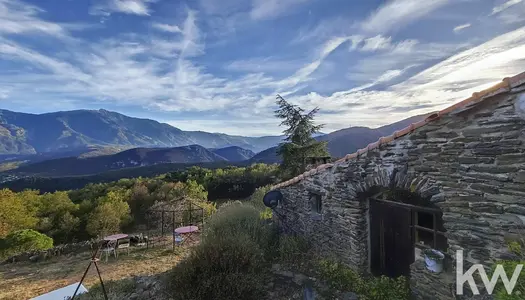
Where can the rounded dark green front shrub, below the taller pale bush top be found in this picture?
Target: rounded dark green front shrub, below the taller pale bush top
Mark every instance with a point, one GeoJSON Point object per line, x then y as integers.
{"type": "Point", "coordinates": [227, 267]}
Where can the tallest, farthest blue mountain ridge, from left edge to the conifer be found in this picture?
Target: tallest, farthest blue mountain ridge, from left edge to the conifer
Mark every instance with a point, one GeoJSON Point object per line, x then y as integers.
{"type": "Point", "coordinates": [22, 133]}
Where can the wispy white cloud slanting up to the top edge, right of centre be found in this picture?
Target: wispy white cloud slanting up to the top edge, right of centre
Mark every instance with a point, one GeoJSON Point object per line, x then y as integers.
{"type": "Point", "coordinates": [398, 13]}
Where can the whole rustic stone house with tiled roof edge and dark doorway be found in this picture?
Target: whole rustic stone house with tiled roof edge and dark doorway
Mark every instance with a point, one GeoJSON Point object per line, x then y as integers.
{"type": "Point", "coordinates": [454, 181]}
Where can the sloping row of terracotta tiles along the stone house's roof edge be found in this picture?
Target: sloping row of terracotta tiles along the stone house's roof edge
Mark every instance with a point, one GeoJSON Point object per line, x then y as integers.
{"type": "Point", "coordinates": [504, 86]}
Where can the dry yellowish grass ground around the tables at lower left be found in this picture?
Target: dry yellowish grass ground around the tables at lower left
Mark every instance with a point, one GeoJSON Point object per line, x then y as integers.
{"type": "Point", "coordinates": [26, 280]}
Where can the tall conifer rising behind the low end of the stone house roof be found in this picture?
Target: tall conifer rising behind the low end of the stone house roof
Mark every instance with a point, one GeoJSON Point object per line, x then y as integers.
{"type": "Point", "coordinates": [299, 143]}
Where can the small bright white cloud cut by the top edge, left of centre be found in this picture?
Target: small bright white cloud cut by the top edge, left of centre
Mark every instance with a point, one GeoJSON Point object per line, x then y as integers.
{"type": "Point", "coordinates": [132, 7]}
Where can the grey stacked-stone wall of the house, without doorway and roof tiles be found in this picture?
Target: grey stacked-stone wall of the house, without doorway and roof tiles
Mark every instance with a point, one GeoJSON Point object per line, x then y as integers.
{"type": "Point", "coordinates": [471, 163]}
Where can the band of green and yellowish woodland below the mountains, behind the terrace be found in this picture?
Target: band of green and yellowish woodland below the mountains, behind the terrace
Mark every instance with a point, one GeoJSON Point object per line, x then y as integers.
{"type": "Point", "coordinates": [97, 209]}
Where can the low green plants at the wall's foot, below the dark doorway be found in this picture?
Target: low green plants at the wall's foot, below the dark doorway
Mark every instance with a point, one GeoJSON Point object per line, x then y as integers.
{"type": "Point", "coordinates": [343, 278]}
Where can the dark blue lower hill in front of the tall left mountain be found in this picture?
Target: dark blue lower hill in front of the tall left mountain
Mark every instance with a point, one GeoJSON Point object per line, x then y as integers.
{"type": "Point", "coordinates": [137, 157]}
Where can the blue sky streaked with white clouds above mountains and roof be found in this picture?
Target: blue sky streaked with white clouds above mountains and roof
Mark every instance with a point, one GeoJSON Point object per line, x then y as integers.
{"type": "Point", "coordinates": [217, 65]}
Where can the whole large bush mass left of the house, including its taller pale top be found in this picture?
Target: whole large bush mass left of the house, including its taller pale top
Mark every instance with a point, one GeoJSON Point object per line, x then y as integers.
{"type": "Point", "coordinates": [232, 260]}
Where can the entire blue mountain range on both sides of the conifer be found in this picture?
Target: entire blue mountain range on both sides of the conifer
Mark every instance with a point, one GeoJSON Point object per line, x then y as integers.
{"type": "Point", "coordinates": [86, 142]}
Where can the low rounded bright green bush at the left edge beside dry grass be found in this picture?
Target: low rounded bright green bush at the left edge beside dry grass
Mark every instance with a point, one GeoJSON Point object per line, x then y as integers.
{"type": "Point", "coordinates": [22, 241]}
